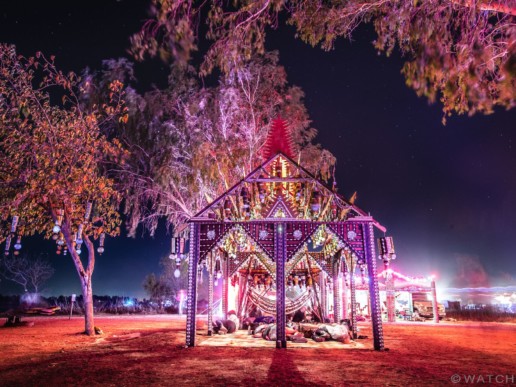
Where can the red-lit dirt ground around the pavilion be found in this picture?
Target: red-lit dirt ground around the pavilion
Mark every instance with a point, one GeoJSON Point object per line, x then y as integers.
{"type": "Point", "coordinates": [149, 350]}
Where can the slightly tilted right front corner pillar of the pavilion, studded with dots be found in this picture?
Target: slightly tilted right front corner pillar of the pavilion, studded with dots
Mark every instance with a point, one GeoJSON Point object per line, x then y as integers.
{"type": "Point", "coordinates": [374, 294]}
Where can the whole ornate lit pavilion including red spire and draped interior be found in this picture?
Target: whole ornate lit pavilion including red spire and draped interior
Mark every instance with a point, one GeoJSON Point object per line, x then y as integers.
{"type": "Point", "coordinates": [281, 239]}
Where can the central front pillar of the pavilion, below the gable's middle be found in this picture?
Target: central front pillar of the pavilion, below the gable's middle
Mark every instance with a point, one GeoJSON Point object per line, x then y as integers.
{"type": "Point", "coordinates": [280, 255]}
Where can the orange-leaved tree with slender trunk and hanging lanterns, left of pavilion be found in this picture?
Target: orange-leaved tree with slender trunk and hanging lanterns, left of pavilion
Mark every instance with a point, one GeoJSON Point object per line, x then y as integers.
{"type": "Point", "coordinates": [54, 161]}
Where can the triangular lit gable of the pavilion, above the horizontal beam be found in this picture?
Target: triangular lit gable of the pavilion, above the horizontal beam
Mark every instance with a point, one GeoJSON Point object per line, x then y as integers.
{"type": "Point", "coordinates": [257, 197]}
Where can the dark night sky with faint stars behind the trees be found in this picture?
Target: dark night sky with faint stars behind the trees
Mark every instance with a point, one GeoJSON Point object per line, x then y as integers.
{"type": "Point", "coordinates": [447, 194]}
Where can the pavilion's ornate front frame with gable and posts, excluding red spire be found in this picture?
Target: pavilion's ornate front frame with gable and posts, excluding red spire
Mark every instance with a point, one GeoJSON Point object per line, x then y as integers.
{"type": "Point", "coordinates": [280, 211]}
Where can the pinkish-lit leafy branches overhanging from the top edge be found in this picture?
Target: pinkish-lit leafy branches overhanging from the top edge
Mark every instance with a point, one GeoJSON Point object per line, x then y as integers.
{"type": "Point", "coordinates": [461, 51]}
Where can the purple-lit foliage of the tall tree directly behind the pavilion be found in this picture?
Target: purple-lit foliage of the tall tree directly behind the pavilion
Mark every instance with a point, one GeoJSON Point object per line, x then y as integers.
{"type": "Point", "coordinates": [190, 143]}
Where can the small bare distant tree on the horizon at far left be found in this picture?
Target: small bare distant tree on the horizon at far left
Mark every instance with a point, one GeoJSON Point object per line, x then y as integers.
{"type": "Point", "coordinates": [31, 274]}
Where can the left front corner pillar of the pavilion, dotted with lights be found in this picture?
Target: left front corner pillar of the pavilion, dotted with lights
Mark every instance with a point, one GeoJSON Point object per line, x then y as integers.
{"type": "Point", "coordinates": [191, 303]}
